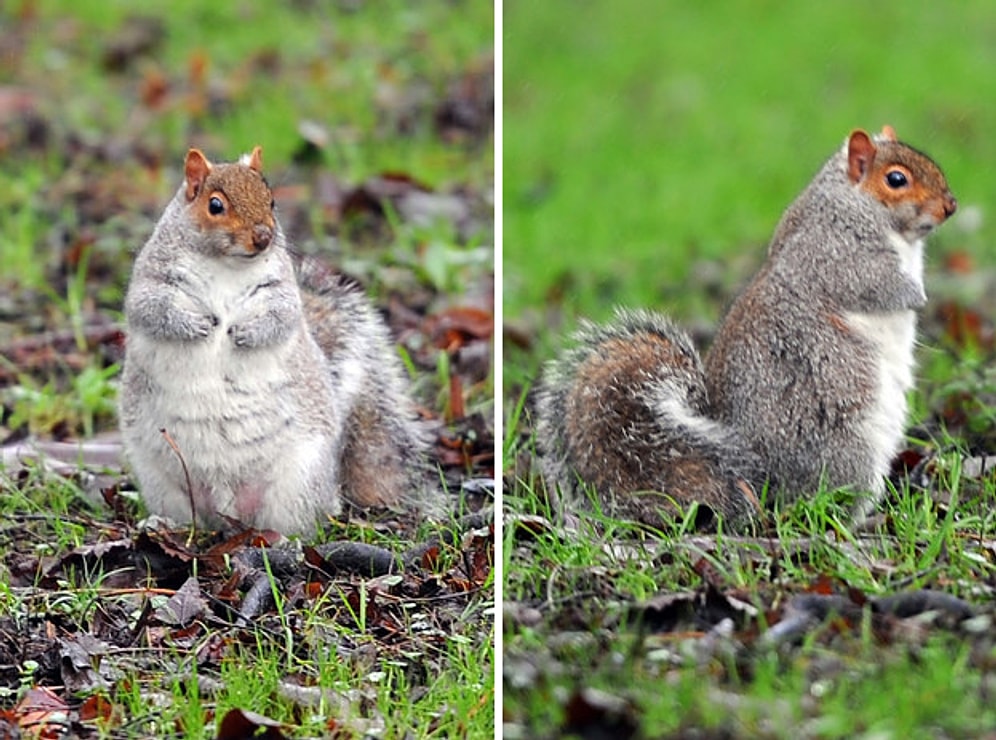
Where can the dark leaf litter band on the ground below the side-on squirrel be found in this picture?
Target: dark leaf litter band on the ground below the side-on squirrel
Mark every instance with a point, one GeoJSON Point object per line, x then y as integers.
{"type": "Point", "coordinates": [590, 628]}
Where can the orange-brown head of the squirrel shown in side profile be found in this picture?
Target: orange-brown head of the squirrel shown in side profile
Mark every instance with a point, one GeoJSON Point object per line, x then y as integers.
{"type": "Point", "coordinates": [905, 181]}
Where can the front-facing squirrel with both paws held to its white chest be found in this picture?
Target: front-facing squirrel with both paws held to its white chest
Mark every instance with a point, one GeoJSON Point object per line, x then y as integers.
{"type": "Point", "coordinates": [277, 383]}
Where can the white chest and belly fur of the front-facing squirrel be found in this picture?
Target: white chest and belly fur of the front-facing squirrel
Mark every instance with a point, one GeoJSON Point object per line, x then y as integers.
{"type": "Point", "coordinates": [235, 415]}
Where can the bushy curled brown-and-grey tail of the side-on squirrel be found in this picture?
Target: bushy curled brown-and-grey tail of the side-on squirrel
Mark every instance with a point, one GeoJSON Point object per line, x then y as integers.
{"type": "Point", "coordinates": [625, 411]}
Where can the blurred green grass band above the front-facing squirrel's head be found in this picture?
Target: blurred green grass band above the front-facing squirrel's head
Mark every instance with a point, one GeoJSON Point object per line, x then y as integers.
{"type": "Point", "coordinates": [266, 67]}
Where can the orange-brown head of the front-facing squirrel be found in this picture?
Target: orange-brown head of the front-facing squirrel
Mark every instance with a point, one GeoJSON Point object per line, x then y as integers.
{"type": "Point", "coordinates": [231, 204]}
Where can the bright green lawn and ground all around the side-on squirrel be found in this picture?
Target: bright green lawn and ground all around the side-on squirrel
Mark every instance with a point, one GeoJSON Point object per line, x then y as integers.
{"type": "Point", "coordinates": [649, 150]}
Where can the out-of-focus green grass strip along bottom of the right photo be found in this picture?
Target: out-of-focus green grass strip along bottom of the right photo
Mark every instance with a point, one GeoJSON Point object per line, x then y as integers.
{"type": "Point", "coordinates": [861, 701]}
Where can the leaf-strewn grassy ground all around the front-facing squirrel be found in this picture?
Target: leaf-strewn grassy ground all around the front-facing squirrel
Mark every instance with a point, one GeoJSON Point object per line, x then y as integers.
{"type": "Point", "coordinates": [376, 122]}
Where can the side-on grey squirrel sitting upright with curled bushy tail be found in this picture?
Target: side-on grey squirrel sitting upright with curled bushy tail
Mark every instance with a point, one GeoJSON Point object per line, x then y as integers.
{"type": "Point", "coordinates": [805, 384]}
